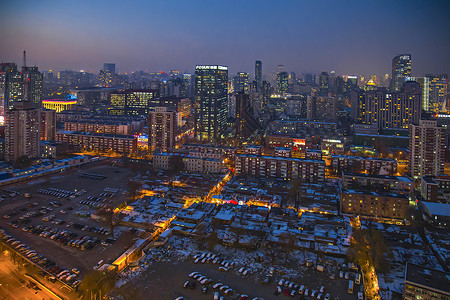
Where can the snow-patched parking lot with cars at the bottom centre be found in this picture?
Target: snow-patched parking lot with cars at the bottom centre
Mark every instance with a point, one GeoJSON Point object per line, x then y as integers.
{"type": "Point", "coordinates": [170, 270]}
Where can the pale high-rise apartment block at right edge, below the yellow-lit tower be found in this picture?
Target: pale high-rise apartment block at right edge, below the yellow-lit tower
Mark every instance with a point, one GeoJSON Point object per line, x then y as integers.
{"type": "Point", "coordinates": [426, 148]}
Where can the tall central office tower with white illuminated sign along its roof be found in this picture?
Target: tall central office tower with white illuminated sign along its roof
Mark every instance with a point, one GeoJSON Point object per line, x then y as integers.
{"type": "Point", "coordinates": [211, 89]}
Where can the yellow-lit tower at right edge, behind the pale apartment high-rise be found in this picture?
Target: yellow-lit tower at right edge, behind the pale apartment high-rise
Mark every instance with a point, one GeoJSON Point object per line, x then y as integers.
{"type": "Point", "coordinates": [437, 93]}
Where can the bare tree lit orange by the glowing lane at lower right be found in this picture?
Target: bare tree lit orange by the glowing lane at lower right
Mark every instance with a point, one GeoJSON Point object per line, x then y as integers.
{"type": "Point", "coordinates": [368, 247]}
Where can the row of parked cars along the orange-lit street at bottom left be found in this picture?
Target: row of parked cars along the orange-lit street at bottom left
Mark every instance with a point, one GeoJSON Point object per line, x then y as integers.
{"type": "Point", "coordinates": [66, 276]}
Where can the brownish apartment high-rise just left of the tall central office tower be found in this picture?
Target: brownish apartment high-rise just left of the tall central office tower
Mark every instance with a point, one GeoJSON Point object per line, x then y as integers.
{"type": "Point", "coordinates": [162, 129]}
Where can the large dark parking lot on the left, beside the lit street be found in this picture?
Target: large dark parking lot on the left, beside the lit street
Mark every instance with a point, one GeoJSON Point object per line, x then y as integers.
{"type": "Point", "coordinates": [49, 219]}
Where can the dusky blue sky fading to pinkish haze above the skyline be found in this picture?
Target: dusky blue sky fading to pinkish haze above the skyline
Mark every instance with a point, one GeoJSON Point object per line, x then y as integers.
{"type": "Point", "coordinates": [353, 37]}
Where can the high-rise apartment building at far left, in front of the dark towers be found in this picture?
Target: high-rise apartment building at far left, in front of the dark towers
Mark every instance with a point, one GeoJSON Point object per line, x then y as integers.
{"type": "Point", "coordinates": [22, 134]}
